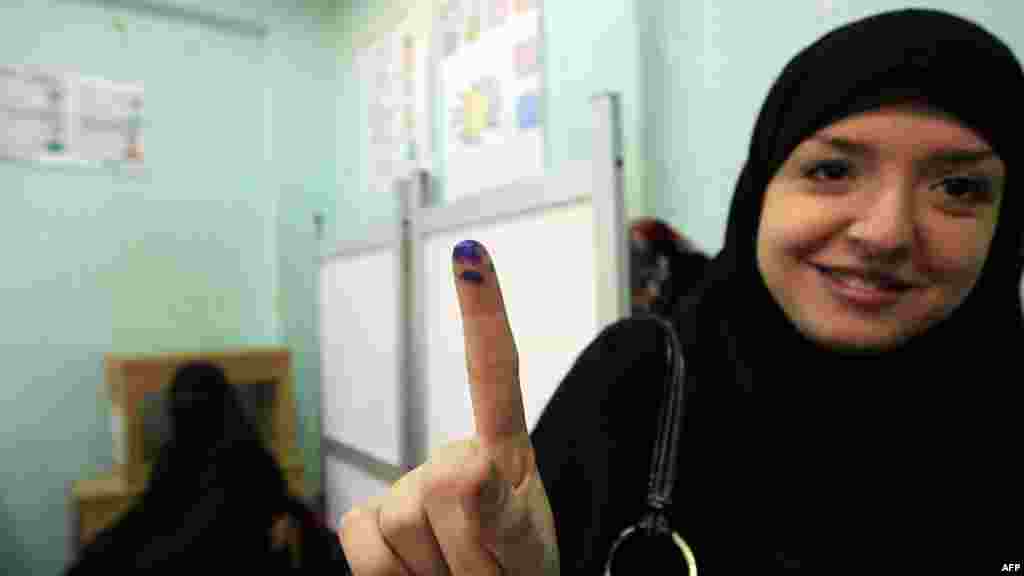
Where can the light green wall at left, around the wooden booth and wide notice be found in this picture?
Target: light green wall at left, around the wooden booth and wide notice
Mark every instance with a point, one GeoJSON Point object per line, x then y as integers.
{"type": "Point", "coordinates": [212, 246]}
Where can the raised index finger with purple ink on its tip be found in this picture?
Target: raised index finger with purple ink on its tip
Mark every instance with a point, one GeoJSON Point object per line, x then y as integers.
{"type": "Point", "coordinates": [492, 359]}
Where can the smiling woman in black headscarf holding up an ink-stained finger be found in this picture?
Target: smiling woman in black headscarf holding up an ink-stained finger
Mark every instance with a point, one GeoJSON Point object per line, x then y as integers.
{"type": "Point", "coordinates": [846, 354]}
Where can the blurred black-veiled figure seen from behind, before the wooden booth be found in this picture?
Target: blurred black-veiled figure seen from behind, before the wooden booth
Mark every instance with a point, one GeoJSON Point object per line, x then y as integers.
{"type": "Point", "coordinates": [212, 496]}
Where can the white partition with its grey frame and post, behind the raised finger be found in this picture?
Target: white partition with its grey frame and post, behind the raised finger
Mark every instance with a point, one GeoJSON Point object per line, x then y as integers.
{"type": "Point", "coordinates": [560, 251]}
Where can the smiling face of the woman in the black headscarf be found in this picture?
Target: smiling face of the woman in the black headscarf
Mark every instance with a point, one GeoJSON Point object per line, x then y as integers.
{"type": "Point", "coordinates": [878, 227]}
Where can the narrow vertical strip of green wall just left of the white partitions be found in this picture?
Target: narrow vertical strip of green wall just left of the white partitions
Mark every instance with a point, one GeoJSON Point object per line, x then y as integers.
{"type": "Point", "coordinates": [304, 72]}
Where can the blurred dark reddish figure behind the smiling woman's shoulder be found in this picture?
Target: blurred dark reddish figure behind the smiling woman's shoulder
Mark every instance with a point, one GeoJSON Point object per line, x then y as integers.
{"type": "Point", "coordinates": [664, 266]}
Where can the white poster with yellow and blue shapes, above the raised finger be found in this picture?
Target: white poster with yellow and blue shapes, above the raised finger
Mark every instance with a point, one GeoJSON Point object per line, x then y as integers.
{"type": "Point", "coordinates": [491, 83]}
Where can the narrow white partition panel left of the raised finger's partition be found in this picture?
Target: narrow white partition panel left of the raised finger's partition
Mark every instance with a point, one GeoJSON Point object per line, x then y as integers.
{"type": "Point", "coordinates": [364, 324]}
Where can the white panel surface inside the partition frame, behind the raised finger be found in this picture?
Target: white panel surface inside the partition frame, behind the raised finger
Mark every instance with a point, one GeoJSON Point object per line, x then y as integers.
{"type": "Point", "coordinates": [545, 264]}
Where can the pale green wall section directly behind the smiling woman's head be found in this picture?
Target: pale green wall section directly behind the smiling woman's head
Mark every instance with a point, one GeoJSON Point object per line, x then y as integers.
{"type": "Point", "coordinates": [714, 62]}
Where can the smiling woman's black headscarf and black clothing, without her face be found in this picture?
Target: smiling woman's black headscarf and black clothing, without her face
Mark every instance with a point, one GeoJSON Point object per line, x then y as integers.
{"type": "Point", "coordinates": [793, 456]}
